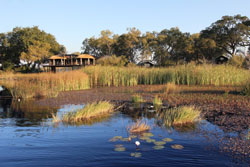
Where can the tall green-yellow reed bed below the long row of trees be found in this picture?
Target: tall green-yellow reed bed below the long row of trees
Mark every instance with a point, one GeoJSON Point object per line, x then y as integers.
{"type": "Point", "coordinates": [218, 75]}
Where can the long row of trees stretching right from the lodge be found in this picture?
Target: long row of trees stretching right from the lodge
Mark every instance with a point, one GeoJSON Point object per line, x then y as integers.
{"type": "Point", "coordinates": [228, 36]}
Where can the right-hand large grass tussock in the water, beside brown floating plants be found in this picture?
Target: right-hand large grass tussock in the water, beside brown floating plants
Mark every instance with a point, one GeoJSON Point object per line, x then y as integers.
{"type": "Point", "coordinates": [181, 115]}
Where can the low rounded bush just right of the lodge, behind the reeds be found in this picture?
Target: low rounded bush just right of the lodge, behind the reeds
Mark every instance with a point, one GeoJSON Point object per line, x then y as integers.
{"type": "Point", "coordinates": [112, 61]}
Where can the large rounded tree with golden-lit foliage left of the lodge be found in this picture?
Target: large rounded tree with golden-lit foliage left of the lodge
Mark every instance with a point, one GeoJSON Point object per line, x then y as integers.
{"type": "Point", "coordinates": [28, 44]}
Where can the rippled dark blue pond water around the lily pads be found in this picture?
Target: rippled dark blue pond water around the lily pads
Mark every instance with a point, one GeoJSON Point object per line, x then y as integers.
{"type": "Point", "coordinates": [28, 138]}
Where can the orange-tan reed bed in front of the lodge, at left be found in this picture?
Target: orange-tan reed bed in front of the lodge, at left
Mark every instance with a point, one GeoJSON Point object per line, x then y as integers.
{"type": "Point", "coordinates": [44, 84]}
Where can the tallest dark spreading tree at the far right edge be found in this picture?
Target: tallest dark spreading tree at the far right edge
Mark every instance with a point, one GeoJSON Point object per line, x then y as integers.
{"type": "Point", "coordinates": [230, 33]}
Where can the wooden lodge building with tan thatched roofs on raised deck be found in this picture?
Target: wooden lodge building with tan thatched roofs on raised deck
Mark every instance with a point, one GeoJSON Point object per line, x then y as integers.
{"type": "Point", "coordinates": [69, 61]}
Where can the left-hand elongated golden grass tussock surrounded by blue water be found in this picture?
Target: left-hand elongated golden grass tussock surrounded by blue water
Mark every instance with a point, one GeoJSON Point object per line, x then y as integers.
{"type": "Point", "coordinates": [90, 111]}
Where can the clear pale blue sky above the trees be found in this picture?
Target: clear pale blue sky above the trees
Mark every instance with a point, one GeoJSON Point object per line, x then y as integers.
{"type": "Point", "coordinates": [71, 21]}
